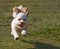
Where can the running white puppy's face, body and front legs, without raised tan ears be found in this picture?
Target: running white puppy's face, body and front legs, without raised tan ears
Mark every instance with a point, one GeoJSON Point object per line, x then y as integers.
{"type": "Point", "coordinates": [19, 22]}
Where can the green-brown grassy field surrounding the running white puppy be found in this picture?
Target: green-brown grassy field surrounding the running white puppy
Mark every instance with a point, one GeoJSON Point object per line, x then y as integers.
{"type": "Point", "coordinates": [43, 28]}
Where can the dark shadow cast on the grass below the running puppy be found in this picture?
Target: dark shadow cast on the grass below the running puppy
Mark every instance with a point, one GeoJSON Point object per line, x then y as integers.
{"type": "Point", "coordinates": [39, 45]}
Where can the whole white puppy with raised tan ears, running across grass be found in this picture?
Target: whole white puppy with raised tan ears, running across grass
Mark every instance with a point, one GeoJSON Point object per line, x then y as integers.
{"type": "Point", "coordinates": [19, 22]}
